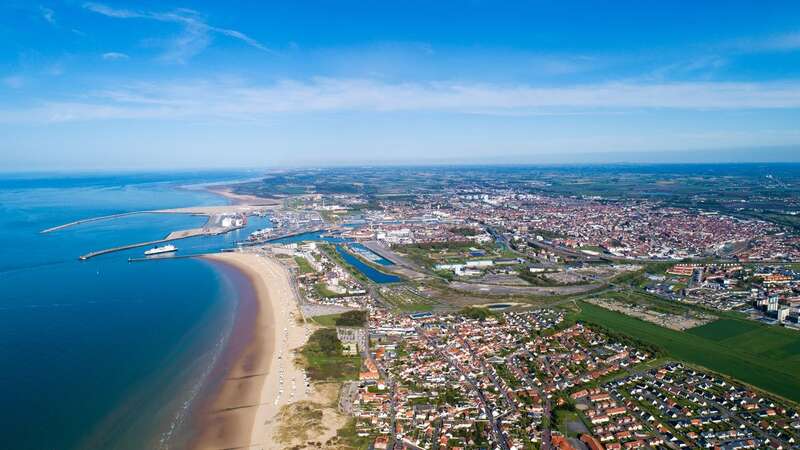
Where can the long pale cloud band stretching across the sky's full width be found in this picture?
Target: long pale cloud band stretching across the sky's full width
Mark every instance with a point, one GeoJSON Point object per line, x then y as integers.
{"type": "Point", "coordinates": [237, 100]}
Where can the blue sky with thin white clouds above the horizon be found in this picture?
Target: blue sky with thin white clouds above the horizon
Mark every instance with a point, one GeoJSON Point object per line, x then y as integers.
{"type": "Point", "coordinates": [179, 84]}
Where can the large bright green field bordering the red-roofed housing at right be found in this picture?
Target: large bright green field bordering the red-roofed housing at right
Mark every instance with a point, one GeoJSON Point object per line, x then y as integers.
{"type": "Point", "coordinates": [763, 356]}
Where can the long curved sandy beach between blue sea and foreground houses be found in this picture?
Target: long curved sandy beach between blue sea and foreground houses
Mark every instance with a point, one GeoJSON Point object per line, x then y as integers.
{"type": "Point", "coordinates": [264, 377]}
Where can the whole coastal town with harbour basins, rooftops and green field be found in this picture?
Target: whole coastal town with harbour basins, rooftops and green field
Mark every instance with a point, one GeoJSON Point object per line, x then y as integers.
{"type": "Point", "coordinates": [496, 317]}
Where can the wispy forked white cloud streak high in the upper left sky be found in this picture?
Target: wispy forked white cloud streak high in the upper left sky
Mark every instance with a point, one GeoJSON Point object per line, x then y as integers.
{"type": "Point", "coordinates": [196, 33]}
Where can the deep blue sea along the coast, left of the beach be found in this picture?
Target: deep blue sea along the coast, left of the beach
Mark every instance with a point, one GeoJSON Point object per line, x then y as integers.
{"type": "Point", "coordinates": [108, 353]}
